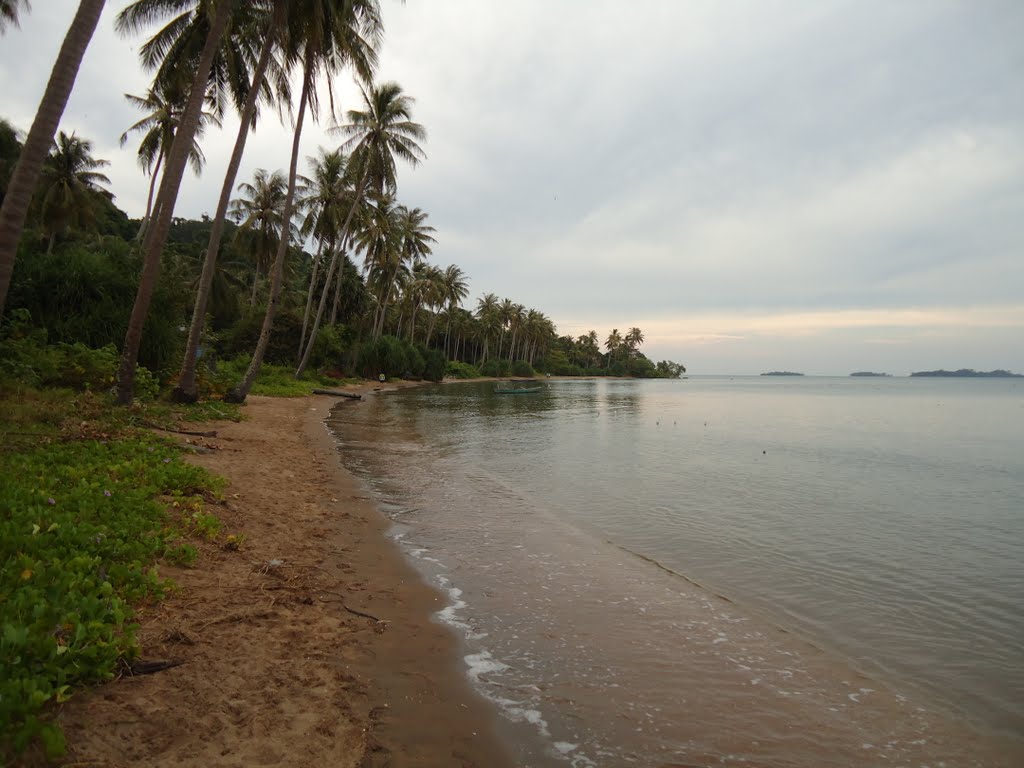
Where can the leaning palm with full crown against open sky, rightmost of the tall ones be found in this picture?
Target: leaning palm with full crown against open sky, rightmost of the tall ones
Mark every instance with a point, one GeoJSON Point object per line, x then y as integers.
{"type": "Point", "coordinates": [378, 136]}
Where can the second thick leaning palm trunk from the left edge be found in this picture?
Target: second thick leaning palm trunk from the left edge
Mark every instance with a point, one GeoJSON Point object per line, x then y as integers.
{"type": "Point", "coordinates": [156, 235]}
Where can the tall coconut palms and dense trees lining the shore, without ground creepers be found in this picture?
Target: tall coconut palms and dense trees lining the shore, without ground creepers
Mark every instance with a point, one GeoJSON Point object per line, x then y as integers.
{"type": "Point", "coordinates": [318, 266]}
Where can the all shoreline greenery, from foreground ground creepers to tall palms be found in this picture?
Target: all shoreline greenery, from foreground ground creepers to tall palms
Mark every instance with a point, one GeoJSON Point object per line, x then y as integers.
{"type": "Point", "coordinates": [118, 333]}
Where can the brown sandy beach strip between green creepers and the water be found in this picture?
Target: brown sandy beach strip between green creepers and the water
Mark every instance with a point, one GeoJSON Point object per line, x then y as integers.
{"type": "Point", "coordinates": [312, 645]}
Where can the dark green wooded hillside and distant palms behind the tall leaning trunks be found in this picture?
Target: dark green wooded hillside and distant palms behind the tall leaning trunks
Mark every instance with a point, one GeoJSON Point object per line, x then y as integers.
{"type": "Point", "coordinates": [387, 310]}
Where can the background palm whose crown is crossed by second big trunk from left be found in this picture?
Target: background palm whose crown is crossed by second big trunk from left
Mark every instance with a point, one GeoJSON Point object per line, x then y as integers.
{"type": "Point", "coordinates": [158, 127]}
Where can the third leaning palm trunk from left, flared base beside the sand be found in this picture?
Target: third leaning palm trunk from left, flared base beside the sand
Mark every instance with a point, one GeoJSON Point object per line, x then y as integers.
{"type": "Point", "coordinates": [186, 391]}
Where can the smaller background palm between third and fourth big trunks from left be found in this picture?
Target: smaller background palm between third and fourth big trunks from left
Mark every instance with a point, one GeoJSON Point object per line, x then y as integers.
{"type": "Point", "coordinates": [261, 214]}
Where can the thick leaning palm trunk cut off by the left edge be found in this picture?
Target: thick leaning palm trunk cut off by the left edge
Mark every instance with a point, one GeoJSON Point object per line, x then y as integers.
{"type": "Point", "coordinates": [37, 144]}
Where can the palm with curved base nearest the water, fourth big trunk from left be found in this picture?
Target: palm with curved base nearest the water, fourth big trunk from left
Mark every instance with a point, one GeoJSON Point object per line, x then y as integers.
{"type": "Point", "coordinates": [324, 35]}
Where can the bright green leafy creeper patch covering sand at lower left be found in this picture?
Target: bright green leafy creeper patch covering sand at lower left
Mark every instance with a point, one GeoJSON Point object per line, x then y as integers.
{"type": "Point", "coordinates": [82, 524]}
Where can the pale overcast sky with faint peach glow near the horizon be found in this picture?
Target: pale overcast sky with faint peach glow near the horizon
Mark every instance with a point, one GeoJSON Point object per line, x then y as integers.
{"type": "Point", "coordinates": [819, 187]}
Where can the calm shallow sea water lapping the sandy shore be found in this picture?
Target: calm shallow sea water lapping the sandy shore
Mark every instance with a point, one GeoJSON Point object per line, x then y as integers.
{"type": "Point", "coordinates": [749, 571]}
